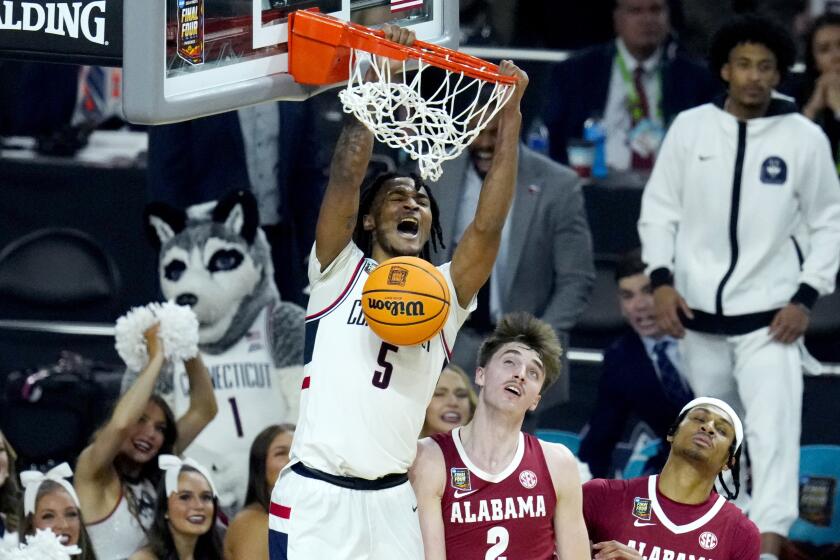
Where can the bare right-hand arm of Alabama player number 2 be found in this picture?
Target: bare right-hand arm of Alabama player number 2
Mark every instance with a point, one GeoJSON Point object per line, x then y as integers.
{"type": "Point", "coordinates": [571, 537]}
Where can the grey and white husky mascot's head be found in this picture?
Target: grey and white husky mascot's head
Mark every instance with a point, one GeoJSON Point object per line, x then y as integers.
{"type": "Point", "coordinates": [214, 258]}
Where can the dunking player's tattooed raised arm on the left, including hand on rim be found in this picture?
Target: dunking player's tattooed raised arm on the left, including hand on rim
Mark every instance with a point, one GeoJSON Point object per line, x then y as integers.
{"type": "Point", "coordinates": [340, 206]}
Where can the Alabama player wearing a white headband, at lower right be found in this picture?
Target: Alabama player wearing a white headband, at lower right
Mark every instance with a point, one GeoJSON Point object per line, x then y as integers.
{"type": "Point", "coordinates": [678, 515]}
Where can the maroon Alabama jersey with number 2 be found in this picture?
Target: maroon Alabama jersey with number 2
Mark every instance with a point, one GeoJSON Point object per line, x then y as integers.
{"type": "Point", "coordinates": [508, 515]}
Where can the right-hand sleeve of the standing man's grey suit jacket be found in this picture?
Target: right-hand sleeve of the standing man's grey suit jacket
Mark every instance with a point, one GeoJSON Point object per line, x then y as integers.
{"type": "Point", "coordinates": [574, 269]}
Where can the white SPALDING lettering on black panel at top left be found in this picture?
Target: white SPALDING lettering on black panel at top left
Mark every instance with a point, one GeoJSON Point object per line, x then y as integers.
{"type": "Point", "coordinates": [68, 19]}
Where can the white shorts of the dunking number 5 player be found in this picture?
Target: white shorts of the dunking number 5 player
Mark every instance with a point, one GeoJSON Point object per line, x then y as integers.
{"type": "Point", "coordinates": [313, 519]}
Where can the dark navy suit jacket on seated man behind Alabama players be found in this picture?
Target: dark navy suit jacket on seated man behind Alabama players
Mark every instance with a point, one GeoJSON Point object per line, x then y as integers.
{"type": "Point", "coordinates": [628, 386]}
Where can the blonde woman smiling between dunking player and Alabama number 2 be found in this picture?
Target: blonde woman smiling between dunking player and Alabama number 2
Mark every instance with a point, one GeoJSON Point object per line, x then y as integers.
{"type": "Point", "coordinates": [453, 402]}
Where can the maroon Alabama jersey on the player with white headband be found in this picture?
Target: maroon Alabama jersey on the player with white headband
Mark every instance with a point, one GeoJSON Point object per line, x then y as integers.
{"type": "Point", "coordinates": [635, 513]}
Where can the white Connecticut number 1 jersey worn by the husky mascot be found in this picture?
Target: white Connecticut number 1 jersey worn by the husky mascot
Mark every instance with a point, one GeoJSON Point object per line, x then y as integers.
{"type": "Point", "coordinates": [249, 395]}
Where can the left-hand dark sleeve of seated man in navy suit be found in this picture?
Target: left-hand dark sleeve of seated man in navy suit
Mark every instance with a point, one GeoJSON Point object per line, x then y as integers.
{"type": "Point", "coordinates": [607, 421]}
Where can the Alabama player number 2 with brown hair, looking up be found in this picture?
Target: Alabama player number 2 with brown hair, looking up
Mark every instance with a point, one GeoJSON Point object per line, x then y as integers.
{"type": "Point", "coordinates": [488, 491]}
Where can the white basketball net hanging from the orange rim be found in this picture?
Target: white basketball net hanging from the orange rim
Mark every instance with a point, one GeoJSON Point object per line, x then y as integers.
{"type": "Point", "coordinates": [429, 129]}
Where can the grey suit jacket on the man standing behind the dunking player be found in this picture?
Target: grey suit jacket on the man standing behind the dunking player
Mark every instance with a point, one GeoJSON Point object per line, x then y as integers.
{"type": "Point", "coordinates": [551, 271]}
